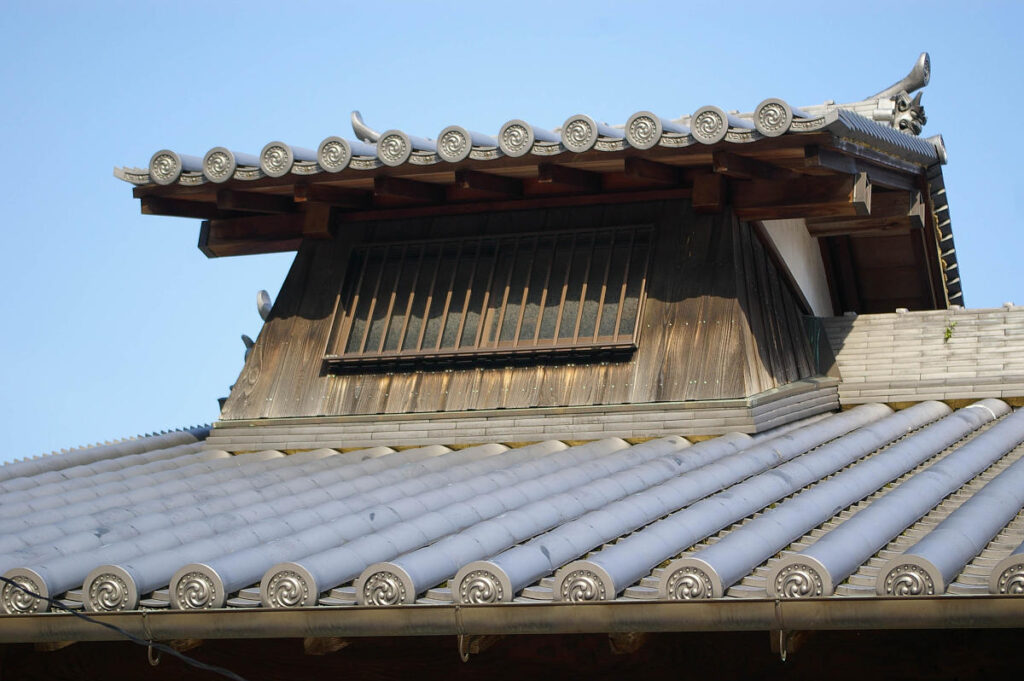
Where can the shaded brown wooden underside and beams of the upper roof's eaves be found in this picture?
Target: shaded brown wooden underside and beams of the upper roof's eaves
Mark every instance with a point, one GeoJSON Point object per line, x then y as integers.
{"type": "Point", "coordinates": [850, 193]}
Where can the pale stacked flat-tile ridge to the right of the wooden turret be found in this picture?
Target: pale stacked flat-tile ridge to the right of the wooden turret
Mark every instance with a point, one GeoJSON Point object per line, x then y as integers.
{"type": "Point", "coordinates": [935, 355]}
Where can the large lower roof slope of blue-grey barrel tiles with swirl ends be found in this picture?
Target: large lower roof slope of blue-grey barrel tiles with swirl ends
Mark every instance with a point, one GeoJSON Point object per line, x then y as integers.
{"type": "Point", "coordinates": [862, 502]}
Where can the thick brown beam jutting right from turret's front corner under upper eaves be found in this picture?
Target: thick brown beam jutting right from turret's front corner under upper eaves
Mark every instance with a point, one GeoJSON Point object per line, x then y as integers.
{"type": "Point", "coordinates": [805, 197]}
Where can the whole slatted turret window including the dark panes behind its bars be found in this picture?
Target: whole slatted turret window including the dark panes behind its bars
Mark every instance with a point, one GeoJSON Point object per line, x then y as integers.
{"type": "Point", "coordinates": [535, 294]}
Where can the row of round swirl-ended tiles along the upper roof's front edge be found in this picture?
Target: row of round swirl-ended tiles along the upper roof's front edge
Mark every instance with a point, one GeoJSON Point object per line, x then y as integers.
{"type": "Point", "coordinates": [580, 134]}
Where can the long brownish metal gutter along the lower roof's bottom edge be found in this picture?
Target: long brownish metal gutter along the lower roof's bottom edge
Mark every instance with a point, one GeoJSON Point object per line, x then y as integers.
{"type": "Point", "coordinates": [718, 616]}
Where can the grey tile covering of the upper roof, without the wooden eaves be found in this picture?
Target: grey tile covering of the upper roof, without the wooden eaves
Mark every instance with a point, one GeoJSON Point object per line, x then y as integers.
{"type": "Point", "coordinates": [580, 134]}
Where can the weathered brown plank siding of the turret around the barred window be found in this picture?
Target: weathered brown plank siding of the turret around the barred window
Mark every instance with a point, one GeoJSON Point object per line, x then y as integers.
{"type": "Point", "coordinates": [719, 323]}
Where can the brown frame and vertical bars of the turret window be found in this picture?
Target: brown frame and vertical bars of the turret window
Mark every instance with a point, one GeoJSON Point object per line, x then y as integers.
{"type": "Point", "coordinates": [488, 345]}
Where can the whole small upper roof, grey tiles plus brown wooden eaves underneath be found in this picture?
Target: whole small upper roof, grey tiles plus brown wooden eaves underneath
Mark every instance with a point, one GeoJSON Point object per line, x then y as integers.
{"type": "Point", "coordinates": [275, 199]}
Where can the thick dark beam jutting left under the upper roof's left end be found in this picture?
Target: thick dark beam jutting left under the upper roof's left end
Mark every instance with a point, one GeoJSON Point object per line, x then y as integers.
{"type": "Point", "coordinates": [246, 236]}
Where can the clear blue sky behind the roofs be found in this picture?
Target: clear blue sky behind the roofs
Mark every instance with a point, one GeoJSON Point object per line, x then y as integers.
{"type": "Point", "coordinates": [114, 324]}
